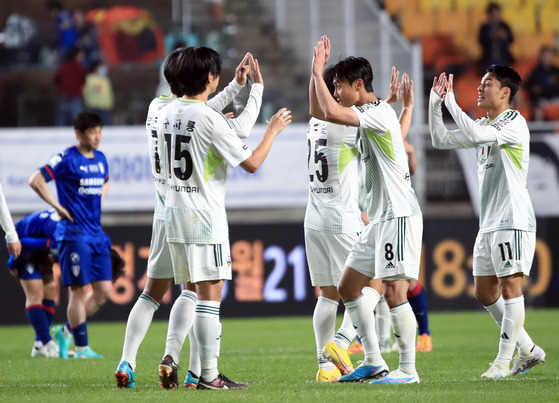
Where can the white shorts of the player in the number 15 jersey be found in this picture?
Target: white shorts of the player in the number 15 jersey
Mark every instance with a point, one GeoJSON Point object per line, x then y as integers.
{"type": "Point", "coordinates": [194, 263]}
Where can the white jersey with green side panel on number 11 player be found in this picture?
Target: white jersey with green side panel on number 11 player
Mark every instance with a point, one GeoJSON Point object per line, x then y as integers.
{"type": "Point", "coordinates": [502, 171]}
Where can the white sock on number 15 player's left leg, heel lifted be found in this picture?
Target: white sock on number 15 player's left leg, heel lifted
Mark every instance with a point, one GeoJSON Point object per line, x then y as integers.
{"type": "Point", "coordinates": [180, 322]}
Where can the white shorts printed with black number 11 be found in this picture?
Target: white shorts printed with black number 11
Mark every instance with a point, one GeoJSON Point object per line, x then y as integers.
{"type": "Point", "coordinates": [504, 253]}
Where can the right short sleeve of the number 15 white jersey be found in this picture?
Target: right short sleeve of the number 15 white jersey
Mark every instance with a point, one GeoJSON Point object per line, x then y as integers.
{"type": "Point", "coordinates": [227, 144]}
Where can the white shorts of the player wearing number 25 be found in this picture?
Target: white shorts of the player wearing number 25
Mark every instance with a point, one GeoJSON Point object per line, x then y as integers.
{"type": "Point", "coordinates": [326, 255]}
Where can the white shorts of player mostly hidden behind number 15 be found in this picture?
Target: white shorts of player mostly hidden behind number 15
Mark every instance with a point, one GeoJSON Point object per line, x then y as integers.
{"type": "Point", "coordinates": [159, 260]}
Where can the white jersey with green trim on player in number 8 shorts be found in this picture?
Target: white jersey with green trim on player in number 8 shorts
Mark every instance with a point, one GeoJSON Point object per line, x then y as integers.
{"type": "Point", "coordinates": [387, 178]}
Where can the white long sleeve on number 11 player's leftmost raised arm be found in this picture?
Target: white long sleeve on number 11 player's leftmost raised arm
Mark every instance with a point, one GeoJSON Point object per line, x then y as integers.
{"type": "Point", "coordinates": [442, 138]}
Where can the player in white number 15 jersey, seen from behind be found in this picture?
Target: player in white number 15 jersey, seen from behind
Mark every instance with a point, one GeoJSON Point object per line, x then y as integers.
{"type": "Point", "coordinates": [199, 143]}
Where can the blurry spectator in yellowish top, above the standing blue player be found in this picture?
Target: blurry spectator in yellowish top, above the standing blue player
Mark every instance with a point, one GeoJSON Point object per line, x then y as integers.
{"type": "Point", "coordinates": [98, 92]}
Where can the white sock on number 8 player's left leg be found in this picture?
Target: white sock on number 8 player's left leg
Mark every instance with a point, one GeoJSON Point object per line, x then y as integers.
{"type": "Point", "coordinates": [361, 312]}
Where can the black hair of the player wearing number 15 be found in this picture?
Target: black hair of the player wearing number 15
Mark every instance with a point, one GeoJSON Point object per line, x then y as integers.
{"type": "Point", "coordinates": [193, 66]}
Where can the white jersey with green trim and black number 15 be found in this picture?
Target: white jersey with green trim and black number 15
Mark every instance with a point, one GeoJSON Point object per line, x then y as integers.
{"type": "Point", "coordinates": [199, 144]}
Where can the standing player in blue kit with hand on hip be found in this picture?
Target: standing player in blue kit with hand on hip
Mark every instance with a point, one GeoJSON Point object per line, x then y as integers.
{"type": "Point", "coordinates": [81, 174]}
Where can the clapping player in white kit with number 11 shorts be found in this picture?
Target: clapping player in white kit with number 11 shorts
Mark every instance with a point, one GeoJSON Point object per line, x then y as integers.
{"type": "Point", "coordinates": [505, 244]}
